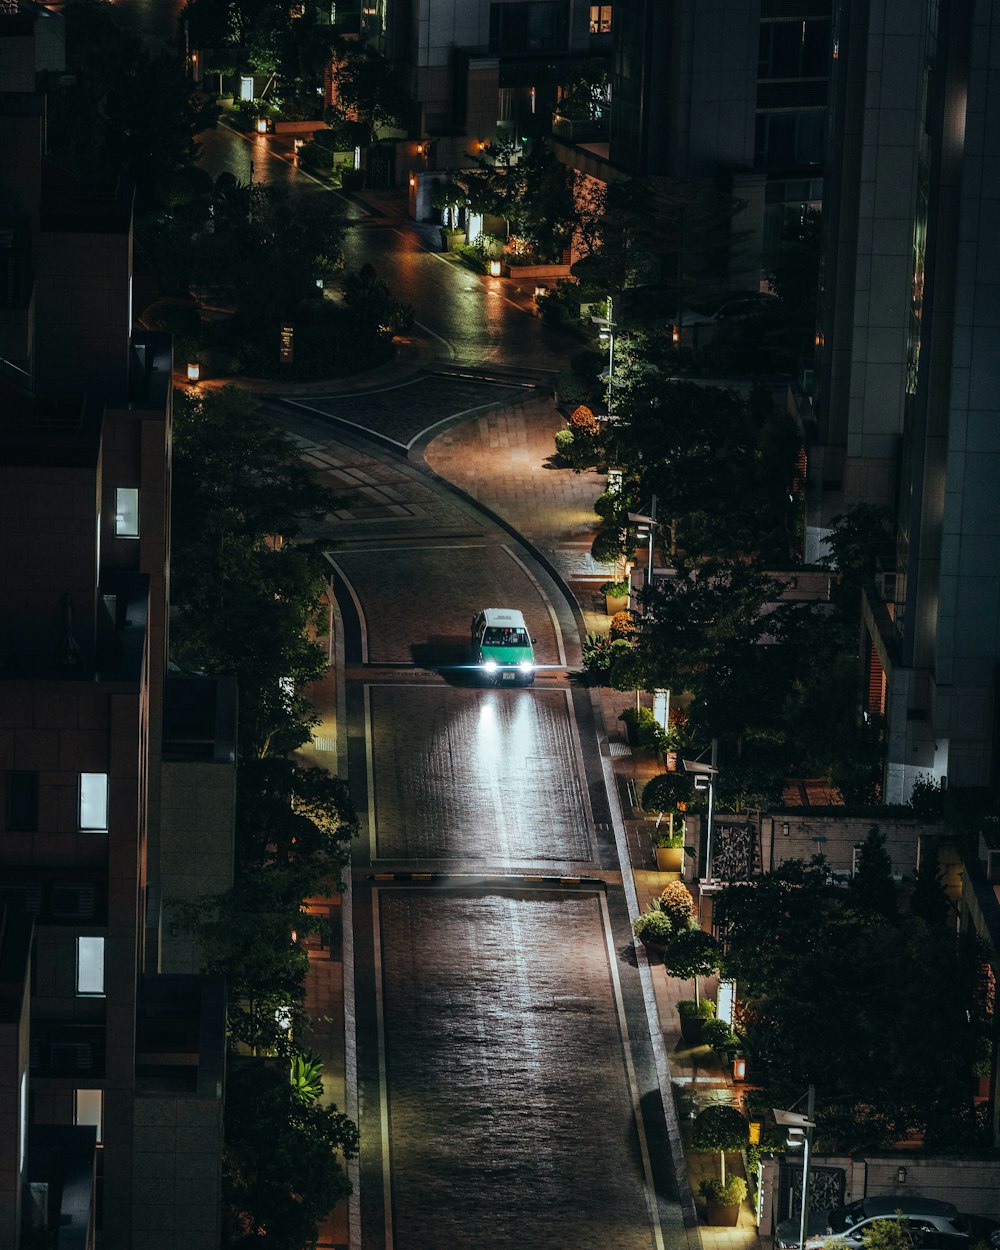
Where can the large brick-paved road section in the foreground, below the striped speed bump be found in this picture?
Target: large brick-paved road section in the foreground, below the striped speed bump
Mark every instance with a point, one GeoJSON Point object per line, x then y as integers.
{"type": "Point", "coordinates": [504, 1064]}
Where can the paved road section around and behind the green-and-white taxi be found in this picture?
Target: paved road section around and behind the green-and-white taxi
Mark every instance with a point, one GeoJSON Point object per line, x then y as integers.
{"type": "Point", "coordinates": [419, 602]}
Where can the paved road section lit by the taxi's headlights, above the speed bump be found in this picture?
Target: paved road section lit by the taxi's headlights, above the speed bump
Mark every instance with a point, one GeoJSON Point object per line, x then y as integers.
{"type": "Point", "coordinates": [479, 776]}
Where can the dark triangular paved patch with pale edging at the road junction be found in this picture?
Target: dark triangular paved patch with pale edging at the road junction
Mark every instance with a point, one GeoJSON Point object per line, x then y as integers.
{"type": "Point", "coordinates": [403, 412]}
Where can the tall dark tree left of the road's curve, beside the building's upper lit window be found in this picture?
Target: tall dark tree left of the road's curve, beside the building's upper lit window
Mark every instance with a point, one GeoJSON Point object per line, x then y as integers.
{"type": "Point", "coordinates": [247, 593]}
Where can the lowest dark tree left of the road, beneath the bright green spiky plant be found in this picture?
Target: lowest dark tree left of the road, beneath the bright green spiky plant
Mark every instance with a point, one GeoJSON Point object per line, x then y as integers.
{"type": "Point", "coordinates": [283, 1169]}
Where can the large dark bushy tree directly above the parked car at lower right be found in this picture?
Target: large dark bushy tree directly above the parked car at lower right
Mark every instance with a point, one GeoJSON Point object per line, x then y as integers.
{"type": "Point", "coordinates": [904, 1059]}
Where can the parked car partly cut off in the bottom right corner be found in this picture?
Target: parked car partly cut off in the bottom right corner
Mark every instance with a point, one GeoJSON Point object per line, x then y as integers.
{"type": "Point", "coordinates": [931, 1224]}
